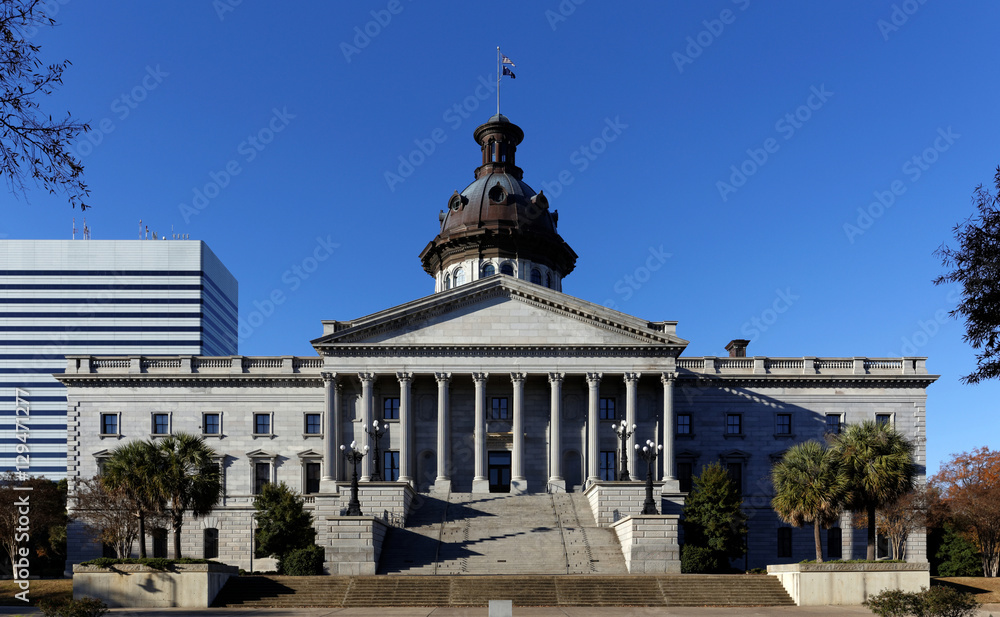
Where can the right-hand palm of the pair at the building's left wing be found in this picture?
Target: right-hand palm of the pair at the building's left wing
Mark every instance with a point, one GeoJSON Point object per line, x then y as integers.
{"type": "Point", "coordinates": [189, 476]}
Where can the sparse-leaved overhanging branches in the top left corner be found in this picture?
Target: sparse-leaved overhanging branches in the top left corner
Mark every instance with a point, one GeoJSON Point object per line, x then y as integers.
{"type": "Point", "coordinates": [32, 144]}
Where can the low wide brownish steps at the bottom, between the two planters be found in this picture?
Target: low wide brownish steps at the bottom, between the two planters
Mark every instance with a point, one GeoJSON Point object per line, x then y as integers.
{"type": "Point", "coordinates": [538, 590]}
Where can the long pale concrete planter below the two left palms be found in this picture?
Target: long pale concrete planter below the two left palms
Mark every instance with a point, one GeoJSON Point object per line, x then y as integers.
{"type": "Point", "coordinates": [137, 586]}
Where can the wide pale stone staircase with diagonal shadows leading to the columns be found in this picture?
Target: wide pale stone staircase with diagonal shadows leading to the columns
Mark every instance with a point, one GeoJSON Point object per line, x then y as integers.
{"type": "Point", "coordinates": [488, 534]}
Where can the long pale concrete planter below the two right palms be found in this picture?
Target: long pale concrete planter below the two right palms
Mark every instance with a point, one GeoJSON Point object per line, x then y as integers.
{"type": "Point", "coordinates": [822, 584]}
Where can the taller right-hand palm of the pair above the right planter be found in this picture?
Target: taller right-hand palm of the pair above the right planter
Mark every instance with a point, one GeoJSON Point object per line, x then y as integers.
{"type": "Point", "coordinates": [877, 463]}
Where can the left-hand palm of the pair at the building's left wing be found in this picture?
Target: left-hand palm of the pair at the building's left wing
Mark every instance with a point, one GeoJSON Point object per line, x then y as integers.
{"type": "Point", "coordinates": [131, 472]}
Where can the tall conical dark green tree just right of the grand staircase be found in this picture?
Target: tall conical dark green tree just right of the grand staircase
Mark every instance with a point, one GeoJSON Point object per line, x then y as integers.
{"type": "Point", "coordinates": [713, 516]}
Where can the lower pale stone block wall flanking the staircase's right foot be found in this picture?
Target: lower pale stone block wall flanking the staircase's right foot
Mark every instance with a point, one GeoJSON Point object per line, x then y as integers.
{"type": "Point", "coordinates": [649, 543]}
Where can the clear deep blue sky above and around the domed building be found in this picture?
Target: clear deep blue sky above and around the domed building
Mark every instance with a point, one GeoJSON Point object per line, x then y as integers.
{"type": "Point", "coordinates": [665, 97]}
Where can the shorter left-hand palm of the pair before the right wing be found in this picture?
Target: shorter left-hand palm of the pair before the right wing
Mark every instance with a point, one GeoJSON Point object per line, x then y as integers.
{"type": "Point", "coordinates": [808, 488]}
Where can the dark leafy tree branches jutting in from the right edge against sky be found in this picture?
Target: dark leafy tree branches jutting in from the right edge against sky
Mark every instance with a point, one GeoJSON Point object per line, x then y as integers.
{"type": "Point", "coordinates": [975, 265]}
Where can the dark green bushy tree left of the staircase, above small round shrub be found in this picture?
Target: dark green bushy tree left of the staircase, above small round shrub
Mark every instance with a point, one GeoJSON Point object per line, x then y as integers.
{"type": "Point", "coordinates": [283, 525]}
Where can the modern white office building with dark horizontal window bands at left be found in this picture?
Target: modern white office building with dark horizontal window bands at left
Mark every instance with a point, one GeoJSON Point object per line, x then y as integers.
{"type": "Point", "coordinates": [122, 297]}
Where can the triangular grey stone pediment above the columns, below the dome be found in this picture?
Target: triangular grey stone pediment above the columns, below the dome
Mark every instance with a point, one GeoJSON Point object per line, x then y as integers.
{"type": "Point", "coordinates": [500, 312]}
